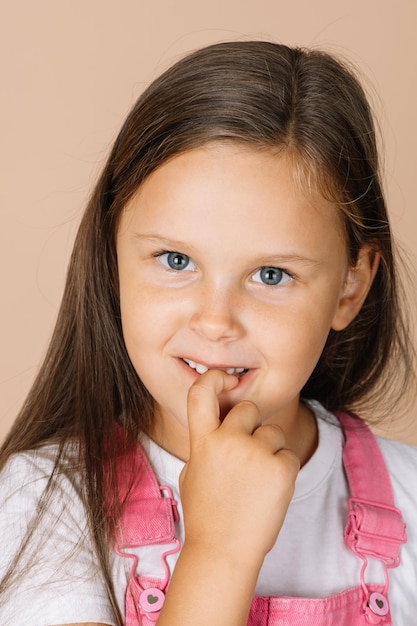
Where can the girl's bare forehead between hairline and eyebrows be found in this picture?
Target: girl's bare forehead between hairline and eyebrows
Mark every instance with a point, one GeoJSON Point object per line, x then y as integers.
{"type": "Point", "coordinates": [236, 190]}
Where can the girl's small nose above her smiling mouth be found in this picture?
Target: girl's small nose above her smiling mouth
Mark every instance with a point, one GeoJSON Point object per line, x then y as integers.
{"type": "Point", "coordinates": [216, 315]}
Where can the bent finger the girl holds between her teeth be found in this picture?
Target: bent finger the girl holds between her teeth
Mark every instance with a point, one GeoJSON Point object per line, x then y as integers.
{"type": "Point", "coordinates": [203, 402]}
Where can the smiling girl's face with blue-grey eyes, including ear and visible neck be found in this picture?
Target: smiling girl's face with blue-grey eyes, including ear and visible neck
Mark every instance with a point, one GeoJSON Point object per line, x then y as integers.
{"type": "Point", "coordinates": [225, 263]}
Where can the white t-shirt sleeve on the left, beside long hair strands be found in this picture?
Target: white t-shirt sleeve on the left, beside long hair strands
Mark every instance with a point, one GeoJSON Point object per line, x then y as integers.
{"type": "Point", "coordinates": [58, 581]}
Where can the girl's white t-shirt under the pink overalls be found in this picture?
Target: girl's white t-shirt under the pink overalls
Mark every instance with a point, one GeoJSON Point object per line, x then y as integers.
{"type": "Point", "coordinates": [309, 558]}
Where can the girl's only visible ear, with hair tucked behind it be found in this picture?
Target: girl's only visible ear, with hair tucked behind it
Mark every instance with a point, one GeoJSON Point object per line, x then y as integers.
{"type": "Point", "coordinates": [357, 285]}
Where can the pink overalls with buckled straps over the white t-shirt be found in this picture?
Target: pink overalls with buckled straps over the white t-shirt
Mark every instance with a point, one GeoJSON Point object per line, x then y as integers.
{"type": "Point", "coordinates": [374, 529]}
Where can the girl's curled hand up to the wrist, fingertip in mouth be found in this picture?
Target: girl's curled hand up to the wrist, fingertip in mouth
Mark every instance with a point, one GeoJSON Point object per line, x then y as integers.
{"type": "Point", "coordinates": [239, 480]}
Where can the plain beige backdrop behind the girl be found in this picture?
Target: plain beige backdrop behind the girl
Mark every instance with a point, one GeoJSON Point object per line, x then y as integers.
{"type": "Point", "coordinates": [71, 69]}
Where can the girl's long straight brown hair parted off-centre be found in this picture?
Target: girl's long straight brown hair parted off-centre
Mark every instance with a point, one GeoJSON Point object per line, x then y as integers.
{"type": "Point", "coordinates": [260, 94]}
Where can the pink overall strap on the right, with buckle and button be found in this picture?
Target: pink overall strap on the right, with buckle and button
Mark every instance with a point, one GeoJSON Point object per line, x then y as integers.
{"type": "Point", "coordinates": [375, 528]}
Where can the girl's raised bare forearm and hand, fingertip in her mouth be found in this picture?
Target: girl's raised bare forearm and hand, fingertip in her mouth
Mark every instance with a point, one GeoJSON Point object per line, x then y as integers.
{"type": "Point", "coordinates": [233, 509]}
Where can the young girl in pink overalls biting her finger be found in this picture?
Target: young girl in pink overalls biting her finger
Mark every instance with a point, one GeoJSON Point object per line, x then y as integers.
{"type": "Point", "coordinates": [182, 458]}
